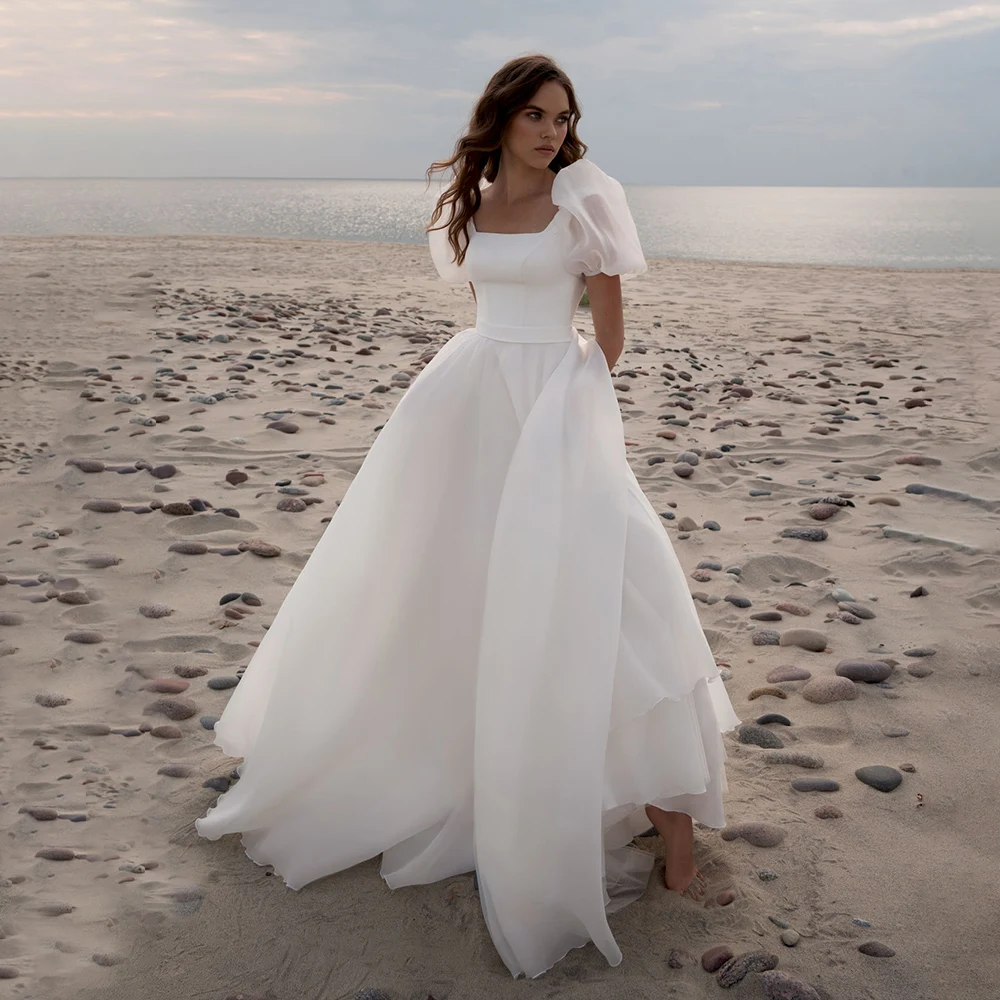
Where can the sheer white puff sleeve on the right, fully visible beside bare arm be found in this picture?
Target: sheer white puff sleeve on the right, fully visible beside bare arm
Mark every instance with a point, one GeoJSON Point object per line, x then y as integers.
{"type": "Point", "coordinates": [603, 237]}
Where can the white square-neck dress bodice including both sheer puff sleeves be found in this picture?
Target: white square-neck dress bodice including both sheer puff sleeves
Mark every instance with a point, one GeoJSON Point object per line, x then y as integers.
{"type": "Point", "coordinates": [528, 285]}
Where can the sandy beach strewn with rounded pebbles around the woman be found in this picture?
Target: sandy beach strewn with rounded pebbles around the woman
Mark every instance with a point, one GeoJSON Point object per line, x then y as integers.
{"type": "Point", "coordinates": [181, 416]}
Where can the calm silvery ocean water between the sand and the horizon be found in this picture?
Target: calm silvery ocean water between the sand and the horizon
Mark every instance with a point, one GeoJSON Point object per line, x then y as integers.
{"type": "Point", "coordinates": [865, 227]}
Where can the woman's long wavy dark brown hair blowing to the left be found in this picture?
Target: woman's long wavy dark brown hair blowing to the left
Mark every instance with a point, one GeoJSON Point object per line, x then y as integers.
{"type": "Point", "coordinates": [477, 152]}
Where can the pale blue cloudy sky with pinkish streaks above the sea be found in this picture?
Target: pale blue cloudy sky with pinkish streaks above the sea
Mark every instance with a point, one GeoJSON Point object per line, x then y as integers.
{"type": "Point", "coordinates": [774, 92]}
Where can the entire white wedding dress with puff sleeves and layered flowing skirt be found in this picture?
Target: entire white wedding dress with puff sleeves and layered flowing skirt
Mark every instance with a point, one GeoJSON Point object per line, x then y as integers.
{"type": "Point", "coordinates": [491, 661]}
